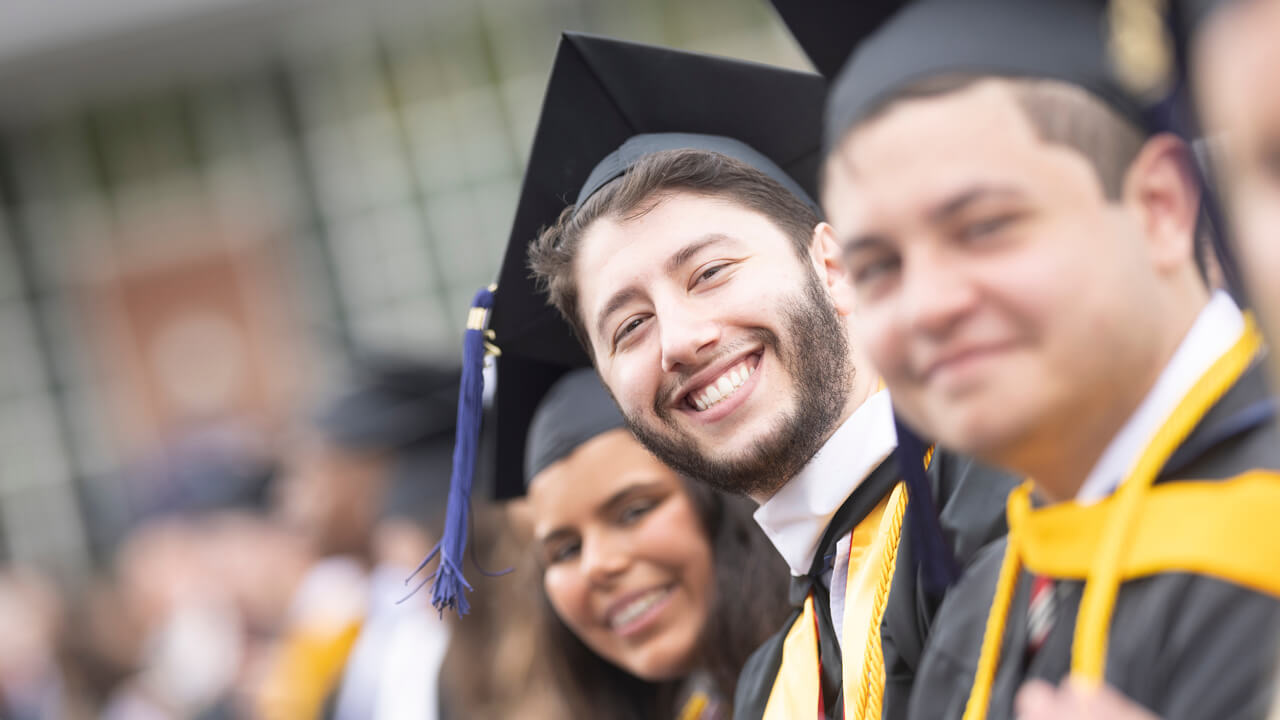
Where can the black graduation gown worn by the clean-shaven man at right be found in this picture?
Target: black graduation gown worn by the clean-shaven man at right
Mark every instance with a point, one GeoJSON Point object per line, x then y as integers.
{"type": "Point", "coordinates": [1186, 646]}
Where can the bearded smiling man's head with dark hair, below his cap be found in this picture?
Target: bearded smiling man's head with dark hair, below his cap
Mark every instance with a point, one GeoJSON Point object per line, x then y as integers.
{"type": "Point", "coordinates": [720, 317]}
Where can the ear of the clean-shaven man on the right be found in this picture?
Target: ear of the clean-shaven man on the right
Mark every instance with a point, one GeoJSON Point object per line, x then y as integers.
{"type": "Point", "coordinates": [1162, 188]}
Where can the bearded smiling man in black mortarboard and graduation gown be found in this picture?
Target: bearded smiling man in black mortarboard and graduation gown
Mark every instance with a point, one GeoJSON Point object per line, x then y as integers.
{"type": "Point", "coordinates": [698, 275]}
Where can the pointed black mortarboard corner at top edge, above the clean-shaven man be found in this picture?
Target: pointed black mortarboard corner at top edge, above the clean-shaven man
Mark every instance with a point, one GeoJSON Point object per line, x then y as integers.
{"type": "Point", "coordinates": [829, 30]}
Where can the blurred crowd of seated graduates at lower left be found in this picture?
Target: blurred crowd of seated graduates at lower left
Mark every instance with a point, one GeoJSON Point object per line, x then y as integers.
{"type": "Point", "coordinates": [284, 590]}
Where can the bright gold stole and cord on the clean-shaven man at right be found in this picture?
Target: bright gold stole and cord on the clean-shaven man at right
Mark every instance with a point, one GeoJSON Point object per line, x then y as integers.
{"type": "Point", "coordinates": [1223, 530]}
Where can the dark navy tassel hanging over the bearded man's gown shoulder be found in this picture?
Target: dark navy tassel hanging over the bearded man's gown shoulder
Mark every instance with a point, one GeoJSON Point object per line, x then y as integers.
{"type": "Point", "coordinates": [934, 554]}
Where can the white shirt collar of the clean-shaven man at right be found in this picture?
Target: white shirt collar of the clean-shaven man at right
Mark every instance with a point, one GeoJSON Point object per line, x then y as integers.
{"type": "Point", "coordinates": [1215, 331]}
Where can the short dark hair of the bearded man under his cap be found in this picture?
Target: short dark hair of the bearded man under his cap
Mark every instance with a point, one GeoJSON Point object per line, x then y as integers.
{"type": "Point", "coordinates": [648, 183]}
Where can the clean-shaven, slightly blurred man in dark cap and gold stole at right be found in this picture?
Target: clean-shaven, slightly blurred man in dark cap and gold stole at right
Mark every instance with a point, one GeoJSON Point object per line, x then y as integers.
{"type": "Point", "coordinates": [1022, 254]}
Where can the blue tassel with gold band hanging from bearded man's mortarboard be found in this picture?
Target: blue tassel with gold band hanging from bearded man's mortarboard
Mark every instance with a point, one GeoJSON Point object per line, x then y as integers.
{"type": "Point", "coordinates": [450, 587]}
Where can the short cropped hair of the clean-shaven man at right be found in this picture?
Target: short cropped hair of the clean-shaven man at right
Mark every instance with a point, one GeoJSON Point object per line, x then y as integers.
{"type": "Point", "coordinates": [1059, 112]}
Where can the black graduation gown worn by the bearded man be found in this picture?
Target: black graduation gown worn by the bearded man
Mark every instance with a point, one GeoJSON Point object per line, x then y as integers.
{"type": "Point", "coordinates": [972, 500]}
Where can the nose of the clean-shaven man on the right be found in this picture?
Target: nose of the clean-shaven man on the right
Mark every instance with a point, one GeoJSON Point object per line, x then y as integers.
{"type": "Point", "coordinates": [936, 294]}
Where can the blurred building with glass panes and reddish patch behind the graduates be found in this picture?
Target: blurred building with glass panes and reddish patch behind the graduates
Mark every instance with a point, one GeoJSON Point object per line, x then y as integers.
{"type": "Point", "coordinates": [209, 208]}
